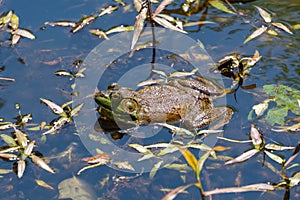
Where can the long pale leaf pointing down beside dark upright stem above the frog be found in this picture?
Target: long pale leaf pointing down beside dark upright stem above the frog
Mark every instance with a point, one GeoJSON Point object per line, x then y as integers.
{"type": "Point", "coordinates": [139, 25]}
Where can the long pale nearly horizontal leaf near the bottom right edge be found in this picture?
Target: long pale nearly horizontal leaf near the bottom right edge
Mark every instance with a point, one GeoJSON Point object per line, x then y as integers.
{"type": "Point", "coordinates": [246, 188]}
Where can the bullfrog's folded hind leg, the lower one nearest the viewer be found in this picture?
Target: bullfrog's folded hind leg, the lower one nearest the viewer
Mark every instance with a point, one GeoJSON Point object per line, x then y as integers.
{"type": "Point", "coordinates": [216, 117]}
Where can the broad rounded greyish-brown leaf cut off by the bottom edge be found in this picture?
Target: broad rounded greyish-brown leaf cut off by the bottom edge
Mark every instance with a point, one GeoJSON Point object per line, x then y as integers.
{"type": "Point", "coordinates": [75, 189]}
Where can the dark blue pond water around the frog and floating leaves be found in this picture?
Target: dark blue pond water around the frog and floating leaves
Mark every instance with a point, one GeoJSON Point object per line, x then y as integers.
{"type": "Point", "coordinates": [32, 64]}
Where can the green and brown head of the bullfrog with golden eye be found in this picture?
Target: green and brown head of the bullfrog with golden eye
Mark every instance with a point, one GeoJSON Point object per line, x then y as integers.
{"type": "Point", "coordinates": [118, 104]}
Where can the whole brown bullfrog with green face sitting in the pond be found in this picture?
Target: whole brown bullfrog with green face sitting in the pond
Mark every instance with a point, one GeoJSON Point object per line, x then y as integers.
{"type": "Point", "coordinates": [189, 101]}
